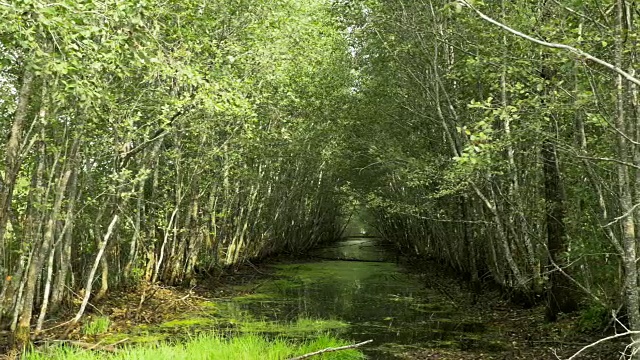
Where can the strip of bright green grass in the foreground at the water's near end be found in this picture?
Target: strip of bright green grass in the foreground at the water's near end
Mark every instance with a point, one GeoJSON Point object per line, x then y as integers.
{"type": "Point", "coordinates": [205, 347]}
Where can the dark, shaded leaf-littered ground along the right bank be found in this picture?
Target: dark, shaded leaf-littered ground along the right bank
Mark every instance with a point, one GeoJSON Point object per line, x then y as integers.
{"type": "Point", "coordinates": [523, 330]}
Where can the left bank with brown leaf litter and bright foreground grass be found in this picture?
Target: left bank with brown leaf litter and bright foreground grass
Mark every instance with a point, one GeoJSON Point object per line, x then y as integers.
{"type": "Point", "coordinates": [149, 322]}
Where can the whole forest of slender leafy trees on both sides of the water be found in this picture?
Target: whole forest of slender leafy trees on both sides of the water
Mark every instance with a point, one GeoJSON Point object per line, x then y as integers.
{"type": "Point", "coordinates": [151, 142]}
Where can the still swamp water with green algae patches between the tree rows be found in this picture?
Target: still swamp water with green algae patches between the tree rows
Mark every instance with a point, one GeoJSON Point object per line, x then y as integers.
{"type": "Point", "coordinates": [355, 291]}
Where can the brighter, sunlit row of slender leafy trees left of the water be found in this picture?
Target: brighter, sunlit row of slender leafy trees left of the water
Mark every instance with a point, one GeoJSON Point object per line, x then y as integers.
{"type": "Point", "coordinates": [149, 140]}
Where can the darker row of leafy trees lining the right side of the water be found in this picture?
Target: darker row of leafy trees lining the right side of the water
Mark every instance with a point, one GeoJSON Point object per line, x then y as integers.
{"type": "Point", "coordinates": [501, 138]}
